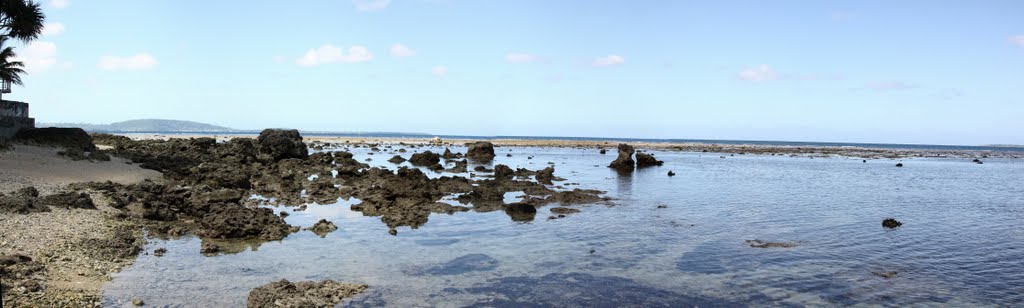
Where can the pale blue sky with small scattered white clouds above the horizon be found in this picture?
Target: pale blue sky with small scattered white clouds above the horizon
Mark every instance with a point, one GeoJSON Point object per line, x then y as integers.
{"type": "Point", "coordinates": [898, 72]}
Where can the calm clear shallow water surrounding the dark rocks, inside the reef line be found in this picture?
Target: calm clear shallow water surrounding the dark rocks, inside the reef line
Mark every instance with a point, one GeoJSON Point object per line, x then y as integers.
{"type": "Point", "coordinates": [960, 244]}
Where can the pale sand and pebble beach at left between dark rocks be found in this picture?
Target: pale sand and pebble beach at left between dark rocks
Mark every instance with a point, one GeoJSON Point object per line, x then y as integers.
{"type": "Point", "coordinates": [75, 248]}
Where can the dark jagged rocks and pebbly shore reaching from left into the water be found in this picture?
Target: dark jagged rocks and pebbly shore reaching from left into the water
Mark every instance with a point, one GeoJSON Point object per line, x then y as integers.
{"type": "Point", "coordinates": [205, 191]}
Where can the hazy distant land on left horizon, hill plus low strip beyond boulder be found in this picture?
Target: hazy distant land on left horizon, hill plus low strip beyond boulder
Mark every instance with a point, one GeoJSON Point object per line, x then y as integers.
{"type": "Point", "coordinates": [178, 126]}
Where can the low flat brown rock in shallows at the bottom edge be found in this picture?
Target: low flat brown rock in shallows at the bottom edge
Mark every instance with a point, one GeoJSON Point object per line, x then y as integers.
{"type": "Point", "coordinates": [303, 294]}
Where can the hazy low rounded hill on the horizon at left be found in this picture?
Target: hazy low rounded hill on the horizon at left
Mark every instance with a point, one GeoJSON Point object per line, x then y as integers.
{"type": "Point", "coordinates": [146, 125]}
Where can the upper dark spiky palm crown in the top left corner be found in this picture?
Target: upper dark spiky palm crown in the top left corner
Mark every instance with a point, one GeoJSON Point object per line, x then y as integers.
{"type": "Point", "coordinates": [22, 20]}
